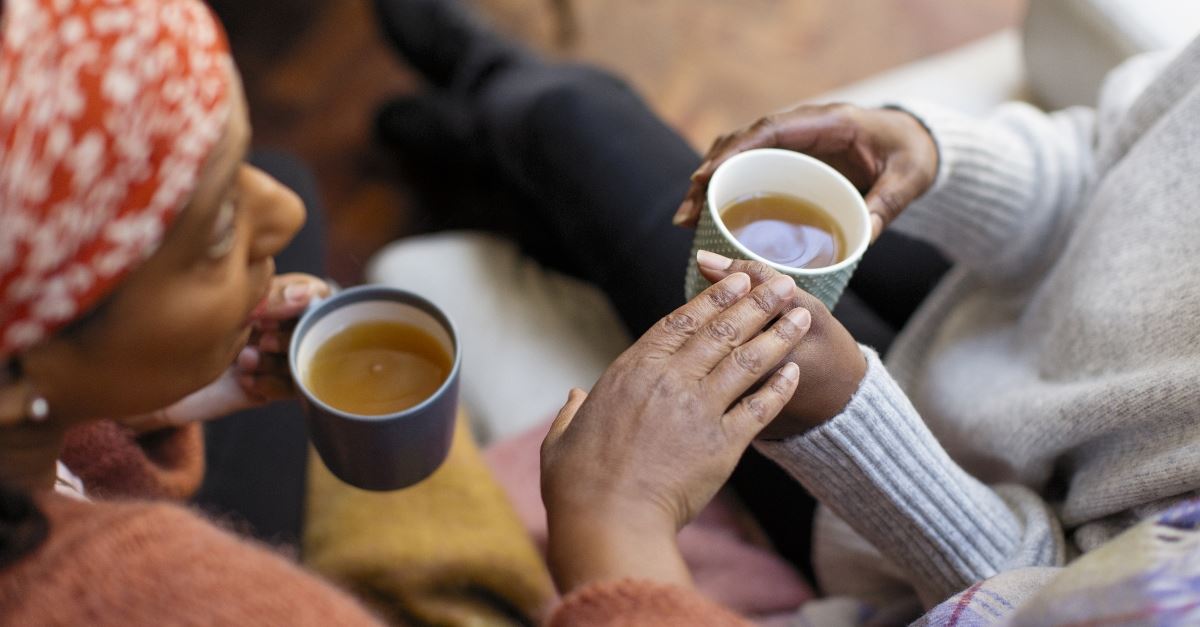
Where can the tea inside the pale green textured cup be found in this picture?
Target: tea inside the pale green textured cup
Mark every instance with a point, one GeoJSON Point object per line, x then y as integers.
{"type": "Point", "coordinates": [785, 230]}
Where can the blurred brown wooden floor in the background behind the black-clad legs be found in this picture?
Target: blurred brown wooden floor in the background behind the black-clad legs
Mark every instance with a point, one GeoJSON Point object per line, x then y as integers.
{"type": "Point", "coordinates": [317, 71]}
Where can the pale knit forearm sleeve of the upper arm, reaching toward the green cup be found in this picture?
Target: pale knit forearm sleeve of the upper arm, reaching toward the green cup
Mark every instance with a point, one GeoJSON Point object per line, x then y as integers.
{"type": "Point", "coordinates": [1006, 186]}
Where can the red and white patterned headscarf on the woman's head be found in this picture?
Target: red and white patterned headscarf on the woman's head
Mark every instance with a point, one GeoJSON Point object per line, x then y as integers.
{"type": "Point", "coordinates": [109, 110]}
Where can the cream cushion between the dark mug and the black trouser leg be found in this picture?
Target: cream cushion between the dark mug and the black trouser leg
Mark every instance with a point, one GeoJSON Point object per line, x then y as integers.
{"type": "Point", "coordinates": [529, 335]}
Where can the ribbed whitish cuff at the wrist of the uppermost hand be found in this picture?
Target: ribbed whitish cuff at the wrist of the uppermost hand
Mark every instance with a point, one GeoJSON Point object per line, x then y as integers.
{"type": "Point", "coordinates": [982, 190]}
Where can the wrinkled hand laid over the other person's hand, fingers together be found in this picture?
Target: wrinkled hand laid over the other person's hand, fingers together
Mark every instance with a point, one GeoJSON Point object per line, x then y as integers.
{"type": "Point", "coordinates": [628, 465]}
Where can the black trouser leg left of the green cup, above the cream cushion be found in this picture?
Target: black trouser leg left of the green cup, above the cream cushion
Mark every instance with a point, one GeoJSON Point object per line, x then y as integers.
{"type": "Point", "coordinates": [603, 175]}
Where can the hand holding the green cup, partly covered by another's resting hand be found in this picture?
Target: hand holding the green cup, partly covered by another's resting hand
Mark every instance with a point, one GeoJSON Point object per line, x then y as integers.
{"type": "Point", "coordinates": [831, 363]}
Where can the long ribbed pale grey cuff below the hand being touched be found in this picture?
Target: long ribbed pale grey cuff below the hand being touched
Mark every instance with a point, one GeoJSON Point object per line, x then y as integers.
{"type": "Point", "coordinates": [880, 469]}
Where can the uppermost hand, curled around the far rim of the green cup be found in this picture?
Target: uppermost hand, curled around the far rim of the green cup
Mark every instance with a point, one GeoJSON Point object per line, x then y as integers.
{"type": "Point", "coordinates": [887, 154]}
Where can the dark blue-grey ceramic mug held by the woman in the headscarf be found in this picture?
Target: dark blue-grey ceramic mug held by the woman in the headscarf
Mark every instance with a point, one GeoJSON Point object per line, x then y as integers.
{"type": "Point", "coordinates": [386, 452]}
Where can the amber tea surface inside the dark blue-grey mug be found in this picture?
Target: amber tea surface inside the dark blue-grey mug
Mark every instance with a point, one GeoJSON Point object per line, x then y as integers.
{"type": "Point", "coordinates": [377, 368]}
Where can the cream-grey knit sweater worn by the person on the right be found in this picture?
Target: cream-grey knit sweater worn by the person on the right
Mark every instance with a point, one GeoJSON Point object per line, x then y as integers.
{"type": "Point", "coordinates": [1048, 393]}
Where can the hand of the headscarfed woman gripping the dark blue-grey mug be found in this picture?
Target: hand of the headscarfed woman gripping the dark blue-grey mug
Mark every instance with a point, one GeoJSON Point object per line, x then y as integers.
{"type": "Point", "coordinates": [261, 373]}
